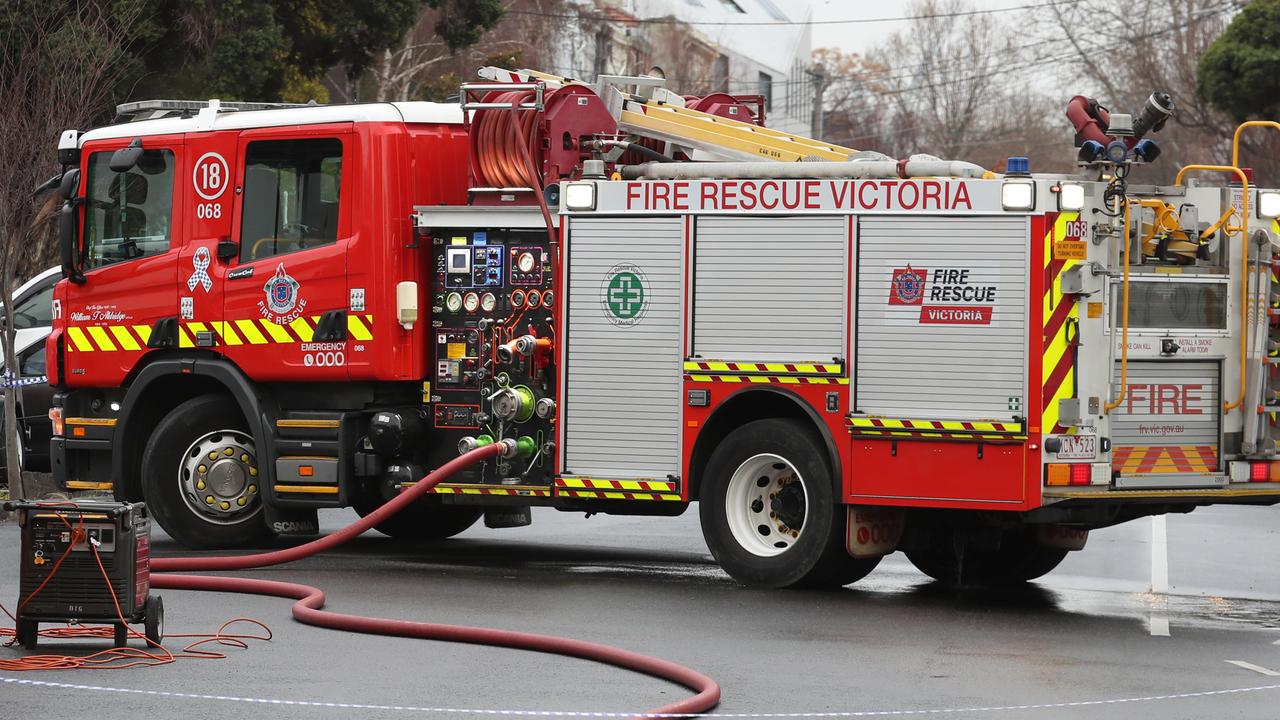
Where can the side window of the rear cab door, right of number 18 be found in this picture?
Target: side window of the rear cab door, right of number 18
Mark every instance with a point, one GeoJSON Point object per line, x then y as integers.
{"type": "Point", "coordinates": [291, 197]}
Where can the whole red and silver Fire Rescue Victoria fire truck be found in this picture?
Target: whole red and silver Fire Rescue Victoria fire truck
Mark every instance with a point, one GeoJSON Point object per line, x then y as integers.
{"type": "Point", "coordinates": [652, 300]}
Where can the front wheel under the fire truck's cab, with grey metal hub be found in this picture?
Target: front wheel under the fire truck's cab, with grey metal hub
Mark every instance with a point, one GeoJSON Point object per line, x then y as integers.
{"type": "Point", "coordinates": [200, 476]}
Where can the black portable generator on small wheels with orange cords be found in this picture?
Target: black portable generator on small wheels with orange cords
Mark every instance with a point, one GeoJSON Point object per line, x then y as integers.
{"type": "Point", "coordinates": [61, 580]}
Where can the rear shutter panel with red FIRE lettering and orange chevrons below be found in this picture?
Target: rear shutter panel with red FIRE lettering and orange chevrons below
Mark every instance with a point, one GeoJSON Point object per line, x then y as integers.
{"type": "Point", "coordinates": [1167, 432]}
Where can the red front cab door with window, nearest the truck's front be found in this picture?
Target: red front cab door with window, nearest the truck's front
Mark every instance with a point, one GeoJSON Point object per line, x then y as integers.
{"type": "Point", "coordinates": [131, 238]}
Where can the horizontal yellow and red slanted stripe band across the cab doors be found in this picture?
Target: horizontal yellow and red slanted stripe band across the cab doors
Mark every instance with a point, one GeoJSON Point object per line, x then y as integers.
{"type": "Point", "coordinates": [255, 331]}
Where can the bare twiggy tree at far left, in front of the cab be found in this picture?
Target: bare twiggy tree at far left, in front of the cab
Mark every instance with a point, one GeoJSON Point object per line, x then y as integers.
{"type": "Point", "coordinates": [57, 70]}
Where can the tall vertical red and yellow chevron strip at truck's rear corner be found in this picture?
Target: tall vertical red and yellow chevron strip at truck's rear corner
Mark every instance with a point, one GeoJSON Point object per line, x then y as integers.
{"type": "Point", "coordinates": [1059, 367]}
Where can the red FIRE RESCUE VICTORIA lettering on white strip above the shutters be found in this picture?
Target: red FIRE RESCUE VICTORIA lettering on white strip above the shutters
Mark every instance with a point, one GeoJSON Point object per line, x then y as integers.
{"type": "Point", "coordinates": [840, 195]}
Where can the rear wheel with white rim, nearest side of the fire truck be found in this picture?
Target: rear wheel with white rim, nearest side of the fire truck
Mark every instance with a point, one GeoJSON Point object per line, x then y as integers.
{"type": "Point", "coordinates": [769, 511]}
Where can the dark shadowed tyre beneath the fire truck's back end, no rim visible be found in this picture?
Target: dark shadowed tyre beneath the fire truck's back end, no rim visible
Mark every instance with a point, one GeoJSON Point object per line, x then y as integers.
{"type": "Point", "coordinates": [1018, 560]}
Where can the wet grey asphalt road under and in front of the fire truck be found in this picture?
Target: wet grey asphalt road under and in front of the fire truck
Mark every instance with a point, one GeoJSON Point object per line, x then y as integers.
{"type": "Point", "coordinates": [1091, 640]}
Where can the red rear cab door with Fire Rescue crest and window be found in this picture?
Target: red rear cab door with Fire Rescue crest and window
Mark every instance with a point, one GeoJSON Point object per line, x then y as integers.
{"type": "Point", "coordinates": [286, 290]}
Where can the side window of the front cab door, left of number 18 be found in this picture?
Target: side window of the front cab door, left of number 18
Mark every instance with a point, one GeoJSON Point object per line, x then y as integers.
{"type": "Point", "coordinates": [129, 215]}
